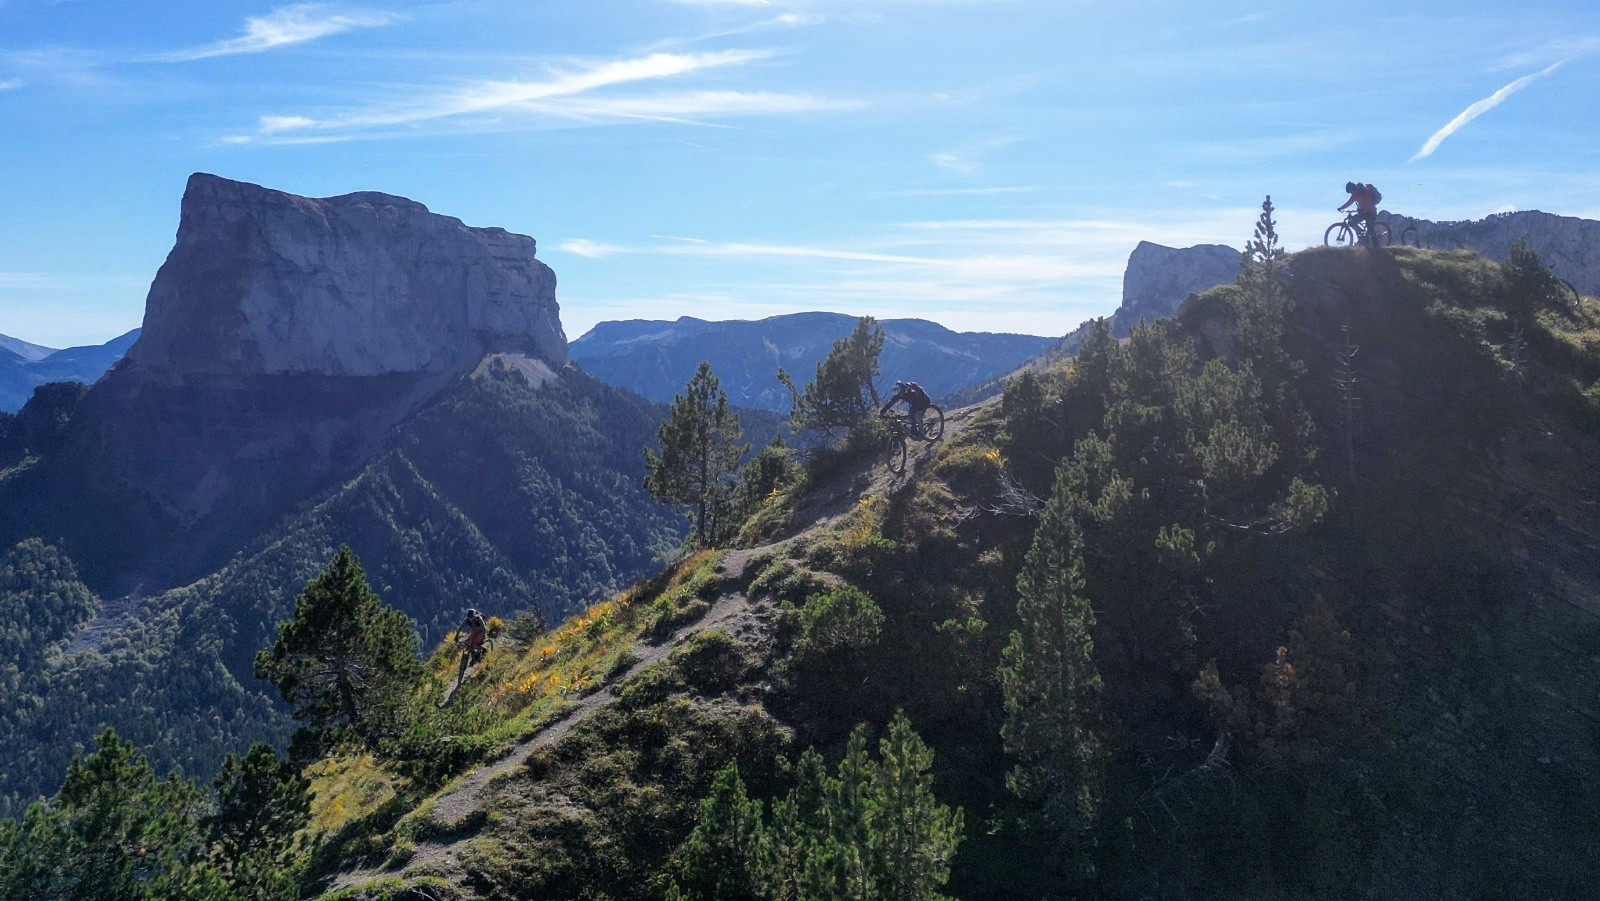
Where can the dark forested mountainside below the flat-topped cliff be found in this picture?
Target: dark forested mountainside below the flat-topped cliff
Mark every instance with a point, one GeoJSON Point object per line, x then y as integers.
{"type": "Point", "coordinates": [498, 495]}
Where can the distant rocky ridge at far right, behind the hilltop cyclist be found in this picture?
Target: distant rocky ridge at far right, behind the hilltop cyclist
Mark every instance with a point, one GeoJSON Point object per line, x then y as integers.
{"type": "Point", "coordinates": [1567, 244]}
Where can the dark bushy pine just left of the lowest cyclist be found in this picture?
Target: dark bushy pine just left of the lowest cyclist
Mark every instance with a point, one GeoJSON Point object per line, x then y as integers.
{"type": "Point", "coordinates": [346, 659]}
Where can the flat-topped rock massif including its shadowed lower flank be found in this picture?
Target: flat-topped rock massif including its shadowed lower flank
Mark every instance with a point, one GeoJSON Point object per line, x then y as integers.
{"type": "Point", "coordinates": [284, 342]}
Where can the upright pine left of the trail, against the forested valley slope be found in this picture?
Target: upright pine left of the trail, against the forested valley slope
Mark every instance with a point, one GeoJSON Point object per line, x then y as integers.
{"type": "Point", "coordinates": [700, 455]}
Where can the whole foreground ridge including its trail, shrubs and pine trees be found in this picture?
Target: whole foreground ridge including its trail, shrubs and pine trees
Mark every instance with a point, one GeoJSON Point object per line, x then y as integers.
{"type": "Point", "coordinates": [1292, 596]}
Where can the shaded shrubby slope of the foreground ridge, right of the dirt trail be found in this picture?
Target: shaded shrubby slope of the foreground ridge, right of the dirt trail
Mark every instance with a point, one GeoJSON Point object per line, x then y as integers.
{"type": "Point", "coordinates": [1393, 699]}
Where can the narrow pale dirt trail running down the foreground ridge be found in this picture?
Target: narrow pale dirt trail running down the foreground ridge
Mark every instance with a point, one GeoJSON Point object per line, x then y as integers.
{"type": "Point", "coordinates": [734, 612]}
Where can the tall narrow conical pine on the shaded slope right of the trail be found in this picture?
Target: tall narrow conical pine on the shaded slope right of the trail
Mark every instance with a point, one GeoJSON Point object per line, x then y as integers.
{"type": "Point", "coordinates": [1052, 687]}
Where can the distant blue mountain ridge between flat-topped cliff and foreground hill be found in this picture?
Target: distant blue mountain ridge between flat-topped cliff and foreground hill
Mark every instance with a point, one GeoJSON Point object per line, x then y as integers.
{"type": "Point", "coordinates": [657, 358]}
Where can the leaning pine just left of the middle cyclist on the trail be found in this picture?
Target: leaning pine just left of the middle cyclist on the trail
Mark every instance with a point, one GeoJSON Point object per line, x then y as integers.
{"type": "Point", "coordinates": [844, 394]}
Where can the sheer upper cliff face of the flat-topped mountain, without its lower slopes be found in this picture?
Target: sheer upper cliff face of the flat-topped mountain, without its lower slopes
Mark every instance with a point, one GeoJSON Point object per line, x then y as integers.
{"type": "Point", "coordinates": [265, 282]}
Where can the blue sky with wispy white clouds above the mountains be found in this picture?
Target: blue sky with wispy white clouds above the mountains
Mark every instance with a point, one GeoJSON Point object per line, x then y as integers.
{"type": "Point", "coordinates": [986, 164]}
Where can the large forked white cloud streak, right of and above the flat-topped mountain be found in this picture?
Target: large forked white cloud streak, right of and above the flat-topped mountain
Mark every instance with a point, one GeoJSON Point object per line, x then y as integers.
{"type": "Point", "coordinates": [554, 98]}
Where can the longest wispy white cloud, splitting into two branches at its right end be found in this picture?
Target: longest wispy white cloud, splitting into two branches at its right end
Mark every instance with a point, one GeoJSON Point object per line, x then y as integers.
{"type": "Point", "coordinates": [575, 95]}
